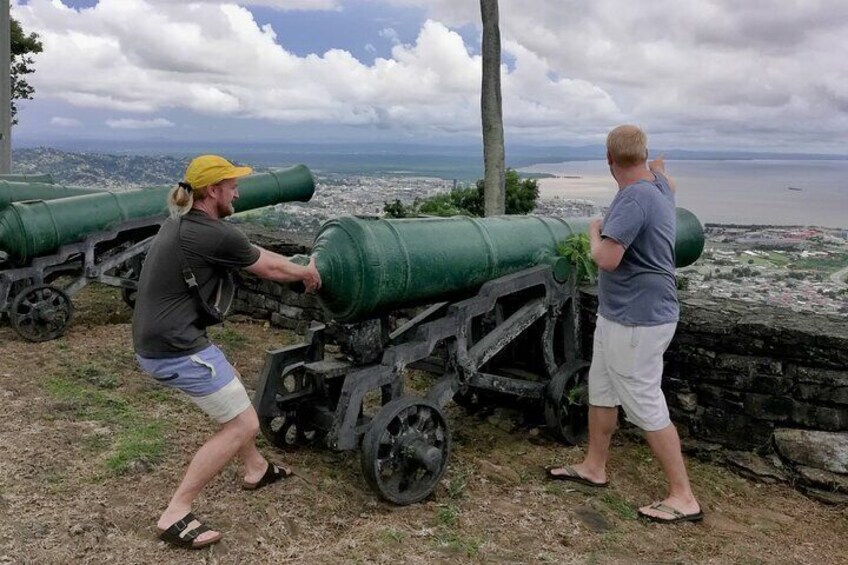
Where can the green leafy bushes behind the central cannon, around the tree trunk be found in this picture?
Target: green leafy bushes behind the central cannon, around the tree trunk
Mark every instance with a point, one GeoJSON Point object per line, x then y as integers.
{"type": "Point", "coordinates": [521, 197]}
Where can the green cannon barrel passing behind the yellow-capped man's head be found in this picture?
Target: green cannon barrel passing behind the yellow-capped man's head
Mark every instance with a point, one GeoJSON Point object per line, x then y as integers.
{"type": "Point", "coordinates": [34, 228]}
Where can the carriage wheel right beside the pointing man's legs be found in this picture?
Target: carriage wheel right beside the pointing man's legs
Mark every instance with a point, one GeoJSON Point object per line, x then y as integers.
{"type": "Point", "coordinates": [567, 403]}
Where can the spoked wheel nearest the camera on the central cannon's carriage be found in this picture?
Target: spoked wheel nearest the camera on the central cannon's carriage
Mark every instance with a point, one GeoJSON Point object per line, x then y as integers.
{"type": "Point", "coordinates": [405, 450]}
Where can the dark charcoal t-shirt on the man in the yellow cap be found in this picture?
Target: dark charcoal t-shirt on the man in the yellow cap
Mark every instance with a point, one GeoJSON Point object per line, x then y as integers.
{"type": "Point", "coordinates": [166, 321]}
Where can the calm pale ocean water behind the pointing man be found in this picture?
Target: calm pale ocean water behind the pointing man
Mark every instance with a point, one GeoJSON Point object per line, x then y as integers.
{"type": "Point", "coordinates": [779, 192]}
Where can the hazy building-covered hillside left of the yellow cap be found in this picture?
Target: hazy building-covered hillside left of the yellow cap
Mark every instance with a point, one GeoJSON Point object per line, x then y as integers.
{"type": "Point", "coordinates": [99, 170]}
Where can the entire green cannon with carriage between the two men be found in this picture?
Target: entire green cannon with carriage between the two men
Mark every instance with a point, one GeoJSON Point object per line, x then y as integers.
{"type": "Point", "coordinates": [502, 326]}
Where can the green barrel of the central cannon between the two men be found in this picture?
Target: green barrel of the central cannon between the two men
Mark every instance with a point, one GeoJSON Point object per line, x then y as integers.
{"type": "Point", "coordinates": [374, 265]}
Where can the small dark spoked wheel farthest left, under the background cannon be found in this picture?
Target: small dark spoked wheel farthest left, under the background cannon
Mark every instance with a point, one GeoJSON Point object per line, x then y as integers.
{"type": "Point", "coordinates": [41, 313]}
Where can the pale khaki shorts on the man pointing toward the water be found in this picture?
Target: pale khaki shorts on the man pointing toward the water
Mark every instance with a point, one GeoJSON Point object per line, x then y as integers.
{"type": "Point", "coordinates": [626, 371]}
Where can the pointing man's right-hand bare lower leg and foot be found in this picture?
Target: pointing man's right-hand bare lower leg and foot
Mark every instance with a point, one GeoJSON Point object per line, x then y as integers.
{"type": "Point", "coordinates": [665, 444]}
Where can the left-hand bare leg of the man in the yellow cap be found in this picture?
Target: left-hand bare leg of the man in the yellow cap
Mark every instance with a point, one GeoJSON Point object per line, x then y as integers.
{"type": "Point", "coordinates": [206, 463]}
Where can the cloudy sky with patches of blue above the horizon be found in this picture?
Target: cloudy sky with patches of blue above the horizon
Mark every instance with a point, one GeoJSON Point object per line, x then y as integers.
{"type": "Point", "coordinates": [761, 75]}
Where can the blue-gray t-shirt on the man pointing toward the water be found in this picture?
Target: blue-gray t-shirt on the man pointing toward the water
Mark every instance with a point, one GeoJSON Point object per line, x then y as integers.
{"type": "Point", "coordinates": [642, 290]}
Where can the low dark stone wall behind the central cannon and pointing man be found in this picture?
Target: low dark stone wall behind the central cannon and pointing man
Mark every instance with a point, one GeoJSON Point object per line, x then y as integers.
{"type": "Point", "coordinates": [760, 388]}
